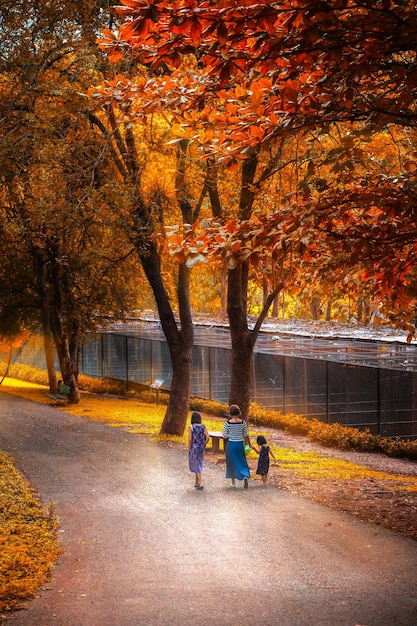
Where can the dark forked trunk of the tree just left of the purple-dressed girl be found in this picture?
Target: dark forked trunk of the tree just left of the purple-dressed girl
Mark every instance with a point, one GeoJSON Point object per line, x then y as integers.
{"type": "Point", "coordinates": [179, 340]}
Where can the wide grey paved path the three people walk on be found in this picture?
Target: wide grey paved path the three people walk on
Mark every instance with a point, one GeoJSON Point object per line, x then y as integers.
{"type": "Point", "coordinates": [143, 547]}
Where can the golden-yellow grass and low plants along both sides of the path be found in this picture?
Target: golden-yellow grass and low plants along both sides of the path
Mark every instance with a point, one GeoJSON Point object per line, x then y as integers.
{"type": "Point", "coordinates": [28, 542]}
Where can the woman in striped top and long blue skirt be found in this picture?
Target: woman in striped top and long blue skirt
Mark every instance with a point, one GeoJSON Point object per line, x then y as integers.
{"type": "Point", "coordinates": [235, 431]}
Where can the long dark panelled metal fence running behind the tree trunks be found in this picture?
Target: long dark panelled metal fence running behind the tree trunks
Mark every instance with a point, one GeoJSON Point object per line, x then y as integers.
{"type": "Point", "coordinates": [325, 384]}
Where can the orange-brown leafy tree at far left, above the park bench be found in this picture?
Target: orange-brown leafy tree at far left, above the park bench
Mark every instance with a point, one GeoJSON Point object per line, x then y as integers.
{"type": "Point", "coordinates": [58, 225]}
